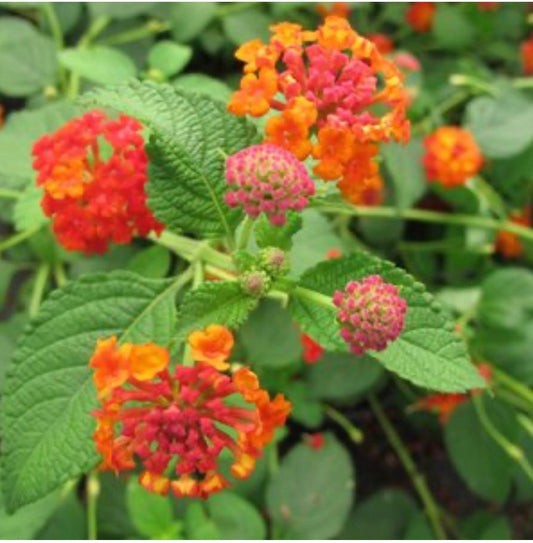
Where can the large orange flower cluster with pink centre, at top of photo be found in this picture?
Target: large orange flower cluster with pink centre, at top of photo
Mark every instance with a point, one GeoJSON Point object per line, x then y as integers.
{"type": "Point", "coordinates": [327, 85]}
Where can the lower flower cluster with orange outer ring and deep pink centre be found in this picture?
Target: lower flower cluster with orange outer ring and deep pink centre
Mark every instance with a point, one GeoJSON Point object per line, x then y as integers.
{"type": "Point", "coordinates": [174, 424]}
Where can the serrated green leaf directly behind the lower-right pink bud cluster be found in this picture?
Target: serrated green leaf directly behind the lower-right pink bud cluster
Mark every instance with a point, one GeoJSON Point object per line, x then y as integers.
{"type": "Point", "coordinates": [428, 352]}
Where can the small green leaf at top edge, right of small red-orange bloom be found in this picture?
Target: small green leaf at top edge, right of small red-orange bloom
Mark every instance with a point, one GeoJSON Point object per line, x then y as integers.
{"type": "Point", "coordinates": [452, 30]}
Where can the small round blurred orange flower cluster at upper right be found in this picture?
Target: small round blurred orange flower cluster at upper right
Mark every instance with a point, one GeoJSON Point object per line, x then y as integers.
{"type": "Point", "coordinates": [452, 156]}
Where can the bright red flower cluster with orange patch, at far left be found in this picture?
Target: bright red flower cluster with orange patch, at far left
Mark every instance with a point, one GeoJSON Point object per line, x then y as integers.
{"type": "Point", "coordinates": [93, 171]}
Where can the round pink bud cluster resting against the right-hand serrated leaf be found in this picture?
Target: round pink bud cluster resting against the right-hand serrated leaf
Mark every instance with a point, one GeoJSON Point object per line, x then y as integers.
{"type": "Point", "coordinates": [371, 313]}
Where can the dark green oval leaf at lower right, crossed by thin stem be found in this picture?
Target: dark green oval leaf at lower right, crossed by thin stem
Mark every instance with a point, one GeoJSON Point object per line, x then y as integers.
{"type": "Point", "coordinates": [479, 460]}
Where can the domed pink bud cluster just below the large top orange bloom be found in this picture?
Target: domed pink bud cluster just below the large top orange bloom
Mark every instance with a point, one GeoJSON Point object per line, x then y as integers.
{"type": "Point", "coordinates": [267, 179]}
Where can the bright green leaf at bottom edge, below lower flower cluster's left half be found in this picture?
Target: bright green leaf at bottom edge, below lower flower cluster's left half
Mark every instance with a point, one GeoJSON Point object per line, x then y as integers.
{"type": "Point", "coordinates": [151, 514]}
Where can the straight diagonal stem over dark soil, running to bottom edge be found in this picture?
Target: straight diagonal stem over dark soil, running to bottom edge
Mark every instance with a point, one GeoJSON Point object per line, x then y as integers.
{"type": "Point", "coordinates": [418, 480]}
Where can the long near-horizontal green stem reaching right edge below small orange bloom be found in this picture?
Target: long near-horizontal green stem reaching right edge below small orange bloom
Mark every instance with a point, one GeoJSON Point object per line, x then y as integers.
{"type": "Point", "coordinates": [425, 216]}
